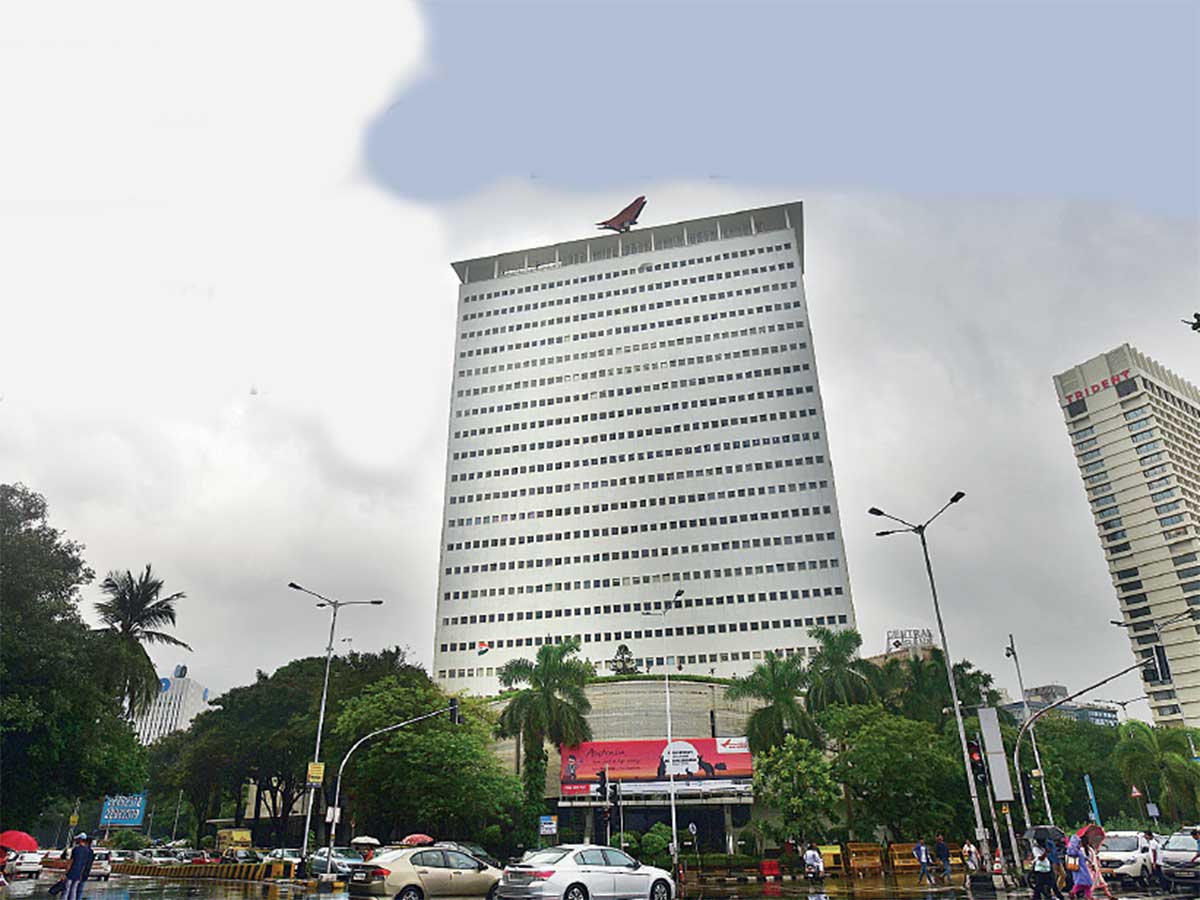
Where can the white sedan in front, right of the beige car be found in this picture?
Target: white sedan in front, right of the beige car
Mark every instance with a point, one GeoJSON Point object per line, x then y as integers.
{"type": "Point", "coordinates": [585, 872]}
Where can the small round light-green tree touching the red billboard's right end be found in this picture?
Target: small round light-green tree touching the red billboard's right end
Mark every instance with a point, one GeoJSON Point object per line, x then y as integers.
{"type": "Point", "coordinates": [796, 781]}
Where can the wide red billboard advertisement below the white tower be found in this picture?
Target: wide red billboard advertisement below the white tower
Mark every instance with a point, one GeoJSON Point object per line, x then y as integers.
{"type": "Point", "coordinates": [700, 766]}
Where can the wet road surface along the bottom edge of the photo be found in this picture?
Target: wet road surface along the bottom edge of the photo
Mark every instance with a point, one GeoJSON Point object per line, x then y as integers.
{"type": "Point", "coordinates": [148, 889]}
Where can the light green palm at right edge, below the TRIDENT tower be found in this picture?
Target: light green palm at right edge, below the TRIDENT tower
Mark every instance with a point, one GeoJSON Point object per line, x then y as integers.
{"type": "Point", "coordinates": [1147, 755]}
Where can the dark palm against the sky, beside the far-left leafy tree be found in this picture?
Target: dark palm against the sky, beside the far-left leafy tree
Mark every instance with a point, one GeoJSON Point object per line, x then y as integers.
{"type": "Point", "coordinates": [134, 616]}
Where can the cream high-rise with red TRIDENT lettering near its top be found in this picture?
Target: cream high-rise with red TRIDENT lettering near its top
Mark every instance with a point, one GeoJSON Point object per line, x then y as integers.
{"type": "Point", "coordinates": [1136, 430]}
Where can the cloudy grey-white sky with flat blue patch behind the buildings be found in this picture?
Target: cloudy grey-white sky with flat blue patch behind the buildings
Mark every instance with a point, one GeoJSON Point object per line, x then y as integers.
{"type": "Point", "coordinates": [229, 314]}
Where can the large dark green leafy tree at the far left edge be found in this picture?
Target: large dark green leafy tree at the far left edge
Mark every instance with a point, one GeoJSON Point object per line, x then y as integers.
{"type": "Point", "coordinates": [63, 735]}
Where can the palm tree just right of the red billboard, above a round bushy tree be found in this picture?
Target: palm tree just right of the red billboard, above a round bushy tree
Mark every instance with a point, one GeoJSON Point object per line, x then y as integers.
{"type": "Point", "coordinates": [778, 683]}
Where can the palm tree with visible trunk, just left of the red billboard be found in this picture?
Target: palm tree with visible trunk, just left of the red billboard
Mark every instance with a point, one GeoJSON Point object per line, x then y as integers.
{"type": "Point", "coordinates": [553, 707]}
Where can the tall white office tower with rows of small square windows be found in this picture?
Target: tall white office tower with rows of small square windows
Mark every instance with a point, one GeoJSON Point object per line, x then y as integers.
{"type": "Point", "coordinates": [637, 416]}
